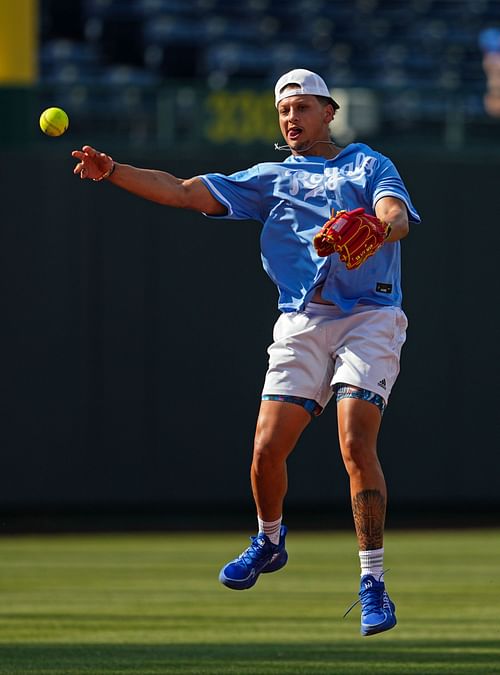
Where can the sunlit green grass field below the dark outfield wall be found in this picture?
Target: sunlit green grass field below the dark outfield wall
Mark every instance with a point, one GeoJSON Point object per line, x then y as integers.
{"type": "Point", "coordinates": [152, 604]}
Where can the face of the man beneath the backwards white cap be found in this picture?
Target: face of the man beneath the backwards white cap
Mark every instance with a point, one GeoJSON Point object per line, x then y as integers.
{"type": "Point", "coordinates": [304, 120]}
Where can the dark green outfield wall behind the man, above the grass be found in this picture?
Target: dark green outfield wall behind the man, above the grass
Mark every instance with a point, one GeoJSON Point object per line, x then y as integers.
{"type": "Point", "coordinates": [132, 363]}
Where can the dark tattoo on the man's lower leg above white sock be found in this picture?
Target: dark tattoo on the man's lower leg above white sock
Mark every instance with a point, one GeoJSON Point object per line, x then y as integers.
{"type": "Point", "coordinates": [368, 508]}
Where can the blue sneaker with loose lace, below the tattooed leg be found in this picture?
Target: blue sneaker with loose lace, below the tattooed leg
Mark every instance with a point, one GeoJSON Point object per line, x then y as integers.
{"type": "Point", "coordinates": [377, 609]}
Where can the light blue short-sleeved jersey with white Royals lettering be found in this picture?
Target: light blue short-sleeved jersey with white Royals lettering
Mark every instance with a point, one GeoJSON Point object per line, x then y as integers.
{"type": "Point", "coordinates": [293, 199]}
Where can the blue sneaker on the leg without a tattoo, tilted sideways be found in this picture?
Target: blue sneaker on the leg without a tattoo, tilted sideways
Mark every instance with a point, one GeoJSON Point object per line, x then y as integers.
{"type": "Point", "coordinates": [261, 557]}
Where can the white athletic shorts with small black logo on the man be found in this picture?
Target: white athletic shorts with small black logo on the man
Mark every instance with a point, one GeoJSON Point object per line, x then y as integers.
{"type": "Point", "coordinates": [321, 346]}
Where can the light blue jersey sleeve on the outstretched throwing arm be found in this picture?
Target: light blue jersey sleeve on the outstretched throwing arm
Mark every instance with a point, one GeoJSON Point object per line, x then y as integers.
{"type": "Point", "coordinates": [240, 193]}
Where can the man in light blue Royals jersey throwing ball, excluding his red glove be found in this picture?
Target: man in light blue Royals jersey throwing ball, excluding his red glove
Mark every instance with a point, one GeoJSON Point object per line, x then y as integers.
{"type": "Point", "coordinates": [340, 331]}
